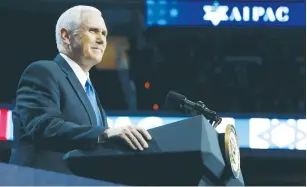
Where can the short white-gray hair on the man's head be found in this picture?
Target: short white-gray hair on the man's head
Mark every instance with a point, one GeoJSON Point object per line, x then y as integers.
{"type": "Point", "coordinates": [71, 20]}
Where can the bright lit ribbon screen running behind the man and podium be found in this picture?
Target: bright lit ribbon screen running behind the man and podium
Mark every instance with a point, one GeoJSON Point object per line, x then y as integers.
{"type": "Point", "coordinates": [256, 133]}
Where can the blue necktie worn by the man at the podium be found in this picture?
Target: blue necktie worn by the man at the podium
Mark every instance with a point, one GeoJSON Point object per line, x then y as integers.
{"type": "Point", "coordinates": [90, 92]}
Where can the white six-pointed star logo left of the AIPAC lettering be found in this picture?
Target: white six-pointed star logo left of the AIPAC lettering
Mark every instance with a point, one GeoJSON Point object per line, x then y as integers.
{"type": "Point", "coordinates": [215, 14]}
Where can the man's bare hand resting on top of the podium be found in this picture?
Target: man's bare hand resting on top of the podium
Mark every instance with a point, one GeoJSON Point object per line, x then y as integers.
{"type": "Point", "coordinates": [136, 137]}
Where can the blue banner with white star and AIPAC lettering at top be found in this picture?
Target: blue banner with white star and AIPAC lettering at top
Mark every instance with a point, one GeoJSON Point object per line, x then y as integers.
{"type": "Point", "coordinates": [224, 13]}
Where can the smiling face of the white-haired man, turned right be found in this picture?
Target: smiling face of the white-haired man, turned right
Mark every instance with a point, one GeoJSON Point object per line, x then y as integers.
{"type": "Point", "coordinates": [88, 42]}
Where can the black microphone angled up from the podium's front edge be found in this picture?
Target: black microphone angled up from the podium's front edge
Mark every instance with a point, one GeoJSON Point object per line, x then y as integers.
{"type": "Point", "coordinates": [179, 101]}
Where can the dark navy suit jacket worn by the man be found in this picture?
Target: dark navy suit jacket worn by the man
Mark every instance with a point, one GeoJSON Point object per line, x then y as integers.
{"type": "Point", "coordinates": [53, 115]}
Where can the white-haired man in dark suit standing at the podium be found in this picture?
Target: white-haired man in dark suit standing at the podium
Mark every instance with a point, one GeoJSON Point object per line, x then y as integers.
{"type": "Point", "coordinates": [56, 105]}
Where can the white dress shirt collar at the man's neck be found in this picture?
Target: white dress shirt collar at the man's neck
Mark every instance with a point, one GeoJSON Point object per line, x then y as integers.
{"type": "Point", "coordinates": [81, 75]}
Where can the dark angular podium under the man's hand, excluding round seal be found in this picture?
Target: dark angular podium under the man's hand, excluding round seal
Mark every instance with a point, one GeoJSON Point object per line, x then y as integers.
{"type": "Point", "coordinates": [184, 153]}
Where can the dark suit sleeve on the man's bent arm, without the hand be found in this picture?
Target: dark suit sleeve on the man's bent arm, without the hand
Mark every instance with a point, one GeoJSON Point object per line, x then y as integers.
{"type": "Point", "coordinates": [38, 106]}
